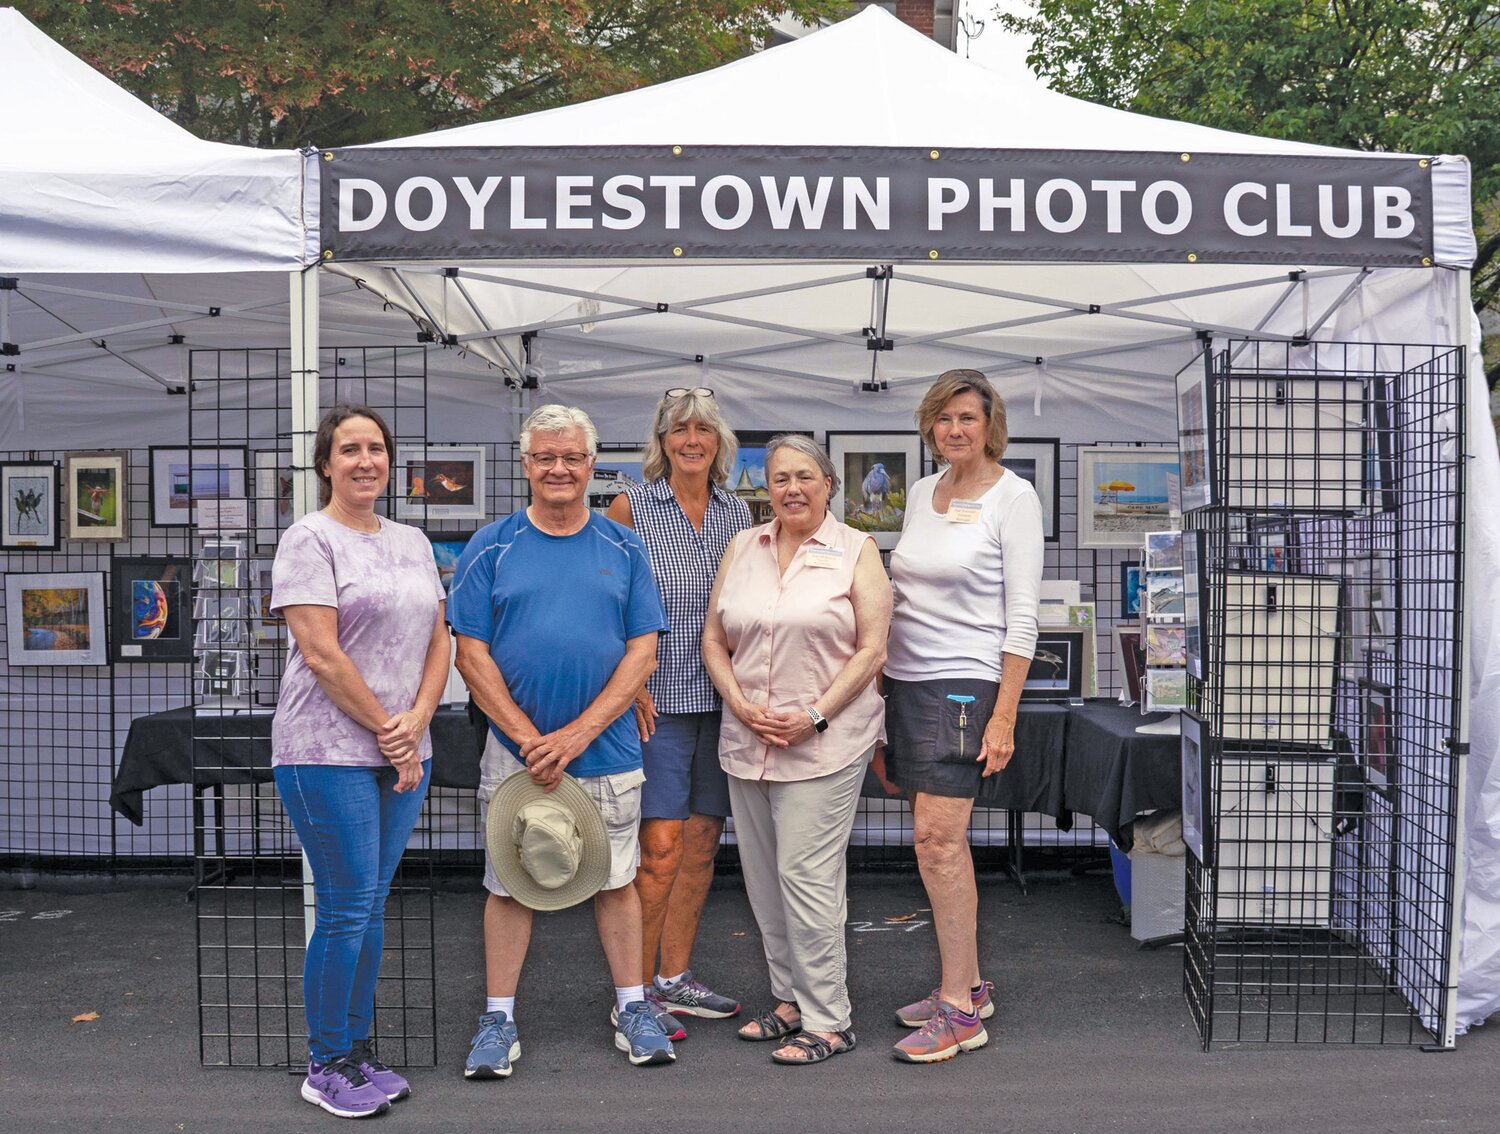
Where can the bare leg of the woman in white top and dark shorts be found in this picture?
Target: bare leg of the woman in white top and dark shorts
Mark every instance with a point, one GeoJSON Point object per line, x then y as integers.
{"type": "Point", "coordinates": [941, 832]}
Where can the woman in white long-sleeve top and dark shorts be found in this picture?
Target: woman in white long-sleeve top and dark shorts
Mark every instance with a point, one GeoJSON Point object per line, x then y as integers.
{"type": "Point", "coordinates": [967, 578]}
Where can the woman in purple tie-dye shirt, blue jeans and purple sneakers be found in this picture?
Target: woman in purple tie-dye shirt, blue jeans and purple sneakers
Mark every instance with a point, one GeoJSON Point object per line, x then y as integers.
{"type": "Point", "coordinates": [350, 746]}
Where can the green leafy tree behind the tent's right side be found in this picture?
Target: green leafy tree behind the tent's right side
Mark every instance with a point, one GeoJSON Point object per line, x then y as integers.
{"type": "Point", "coordinates": [1402, 76]}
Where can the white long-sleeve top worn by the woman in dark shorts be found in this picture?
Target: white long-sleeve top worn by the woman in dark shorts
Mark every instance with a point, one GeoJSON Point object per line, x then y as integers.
{"type": "Point", "coordinates": [965, 593]}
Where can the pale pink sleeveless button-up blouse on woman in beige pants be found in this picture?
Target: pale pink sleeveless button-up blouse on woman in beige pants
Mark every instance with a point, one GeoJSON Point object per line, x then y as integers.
{"type": "Point", "coordinates": [790, 637]}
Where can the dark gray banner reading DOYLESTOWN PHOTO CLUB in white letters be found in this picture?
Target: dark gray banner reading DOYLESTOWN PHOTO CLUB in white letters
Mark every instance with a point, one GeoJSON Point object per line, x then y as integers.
{"type": "Point", "coordinates": [884, 205]}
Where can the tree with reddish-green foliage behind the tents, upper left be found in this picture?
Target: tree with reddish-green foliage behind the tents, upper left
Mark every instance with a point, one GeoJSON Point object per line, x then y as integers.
{"type": "Point", "coordinates": [337, 73]}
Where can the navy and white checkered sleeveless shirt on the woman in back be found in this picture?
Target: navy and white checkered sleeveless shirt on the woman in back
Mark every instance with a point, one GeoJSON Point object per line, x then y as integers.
{"type": "Point", "coordinates": [685, 563]}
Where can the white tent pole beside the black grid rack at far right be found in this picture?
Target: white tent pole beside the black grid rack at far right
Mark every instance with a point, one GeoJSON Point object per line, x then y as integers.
{"type": "Point", "coordinates": [1471, 418]}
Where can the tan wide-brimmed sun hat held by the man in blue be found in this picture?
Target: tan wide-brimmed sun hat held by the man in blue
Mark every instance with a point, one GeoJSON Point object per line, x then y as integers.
{"type": "Point", "coordinates": [548, 850]}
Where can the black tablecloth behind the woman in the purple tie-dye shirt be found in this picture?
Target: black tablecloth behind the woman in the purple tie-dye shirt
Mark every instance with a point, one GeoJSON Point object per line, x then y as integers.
{"type": "Point", "coordinates": [238, 749]}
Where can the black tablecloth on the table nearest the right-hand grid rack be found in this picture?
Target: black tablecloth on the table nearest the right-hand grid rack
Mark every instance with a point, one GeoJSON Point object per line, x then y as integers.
{"type": "Point", "coordinates": [1114, 773]}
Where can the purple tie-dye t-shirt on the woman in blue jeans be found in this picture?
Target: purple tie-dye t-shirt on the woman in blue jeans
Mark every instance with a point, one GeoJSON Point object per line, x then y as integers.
{"type": "Point", "coordinates": [386, 590]}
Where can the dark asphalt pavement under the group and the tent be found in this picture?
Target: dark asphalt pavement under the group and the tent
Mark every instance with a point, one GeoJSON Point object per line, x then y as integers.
{"type": "Point", "coordinates": [98, 1033]}
